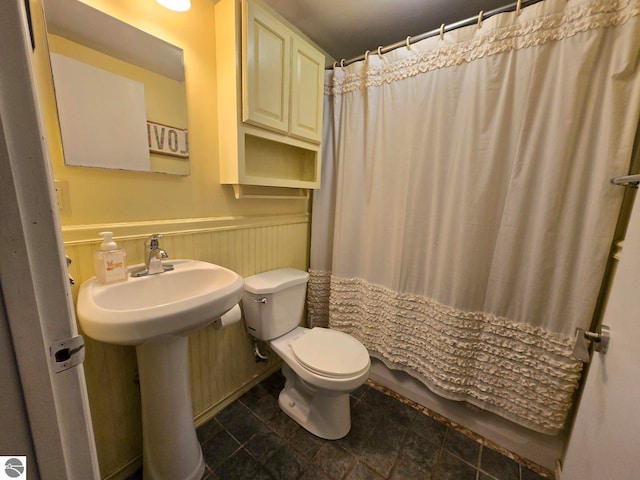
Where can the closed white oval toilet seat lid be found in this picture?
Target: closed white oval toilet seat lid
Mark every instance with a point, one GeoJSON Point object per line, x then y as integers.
{"type": "Point", "coordinates": [330, 353]}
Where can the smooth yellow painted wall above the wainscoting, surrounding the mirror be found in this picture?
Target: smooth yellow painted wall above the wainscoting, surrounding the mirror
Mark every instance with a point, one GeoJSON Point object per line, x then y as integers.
{"type": "Point", "coordinates": [106, 196]}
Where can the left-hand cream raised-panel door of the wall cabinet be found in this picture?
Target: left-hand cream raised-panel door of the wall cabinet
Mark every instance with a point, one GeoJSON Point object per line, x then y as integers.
{"type": "Point", "coordinates": [266, 70]}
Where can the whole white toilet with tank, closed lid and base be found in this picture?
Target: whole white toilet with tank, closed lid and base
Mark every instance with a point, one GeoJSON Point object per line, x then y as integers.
{"type": "Point", "coordinates": [321, 366]}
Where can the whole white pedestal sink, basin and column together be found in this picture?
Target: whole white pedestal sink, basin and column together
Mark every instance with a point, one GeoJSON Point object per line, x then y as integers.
{"type": "Point", "coordinates": [156, 313]}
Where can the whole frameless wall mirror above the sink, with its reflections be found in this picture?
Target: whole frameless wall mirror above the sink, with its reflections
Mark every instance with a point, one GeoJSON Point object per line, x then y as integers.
{"type": "Point", "coordinates": [120, 92]}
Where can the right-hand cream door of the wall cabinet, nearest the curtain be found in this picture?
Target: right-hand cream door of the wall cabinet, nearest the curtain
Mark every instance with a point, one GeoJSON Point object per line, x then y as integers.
{"type": "Point", "coordinates": [307, 91]}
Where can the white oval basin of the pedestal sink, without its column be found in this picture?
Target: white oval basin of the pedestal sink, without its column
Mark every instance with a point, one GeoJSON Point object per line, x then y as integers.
{"type": "Point", "coordinates": [175, 302]}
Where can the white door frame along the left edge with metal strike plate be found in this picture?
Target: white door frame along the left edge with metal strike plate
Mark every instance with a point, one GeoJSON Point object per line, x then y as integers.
{"type": "Point", "coordinates": [33, 279]}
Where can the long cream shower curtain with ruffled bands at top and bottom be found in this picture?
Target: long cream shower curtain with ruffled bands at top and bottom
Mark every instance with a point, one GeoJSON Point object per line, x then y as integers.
{"type": "Point", "coordinates": [466, 215]}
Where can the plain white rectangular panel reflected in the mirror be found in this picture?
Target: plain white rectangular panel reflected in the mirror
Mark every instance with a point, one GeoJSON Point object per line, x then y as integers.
{"type": "Point", "coordinates": [102, 116]}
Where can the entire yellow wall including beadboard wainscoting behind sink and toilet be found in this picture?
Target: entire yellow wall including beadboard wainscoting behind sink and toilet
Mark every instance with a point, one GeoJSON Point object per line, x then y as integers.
{"type": "Point", "coordinates": [201, 218]}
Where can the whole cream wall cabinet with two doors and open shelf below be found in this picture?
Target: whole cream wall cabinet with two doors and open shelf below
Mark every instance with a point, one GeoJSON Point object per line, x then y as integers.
{"type": "Point", "coordinates": [270, 99]}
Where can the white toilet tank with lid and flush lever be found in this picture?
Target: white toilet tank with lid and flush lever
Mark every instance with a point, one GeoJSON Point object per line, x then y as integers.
{"type": "Point", "coordinates": [273, 302]}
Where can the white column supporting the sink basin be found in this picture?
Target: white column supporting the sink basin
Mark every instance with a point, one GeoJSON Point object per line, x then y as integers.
{"type": "Point", "coordinates": [171, 449]}
